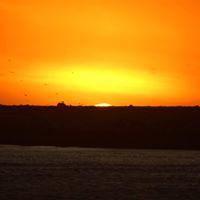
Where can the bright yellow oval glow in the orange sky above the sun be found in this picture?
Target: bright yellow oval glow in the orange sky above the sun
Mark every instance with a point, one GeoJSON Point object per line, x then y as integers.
{"type": "Point", "coordinates": [102, 79]}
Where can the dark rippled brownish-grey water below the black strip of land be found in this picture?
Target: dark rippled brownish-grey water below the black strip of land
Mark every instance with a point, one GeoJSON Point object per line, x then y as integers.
{"type": "Point", "coordinates": [76, 173]}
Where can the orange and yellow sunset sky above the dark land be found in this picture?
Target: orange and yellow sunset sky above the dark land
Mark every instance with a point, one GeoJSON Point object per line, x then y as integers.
{"type": "Point", "coordinates": [91, 51]}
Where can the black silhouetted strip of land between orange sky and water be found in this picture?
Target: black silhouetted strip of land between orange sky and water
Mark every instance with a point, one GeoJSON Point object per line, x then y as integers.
{"type": "Point", "coordinates": [115, 127]}
